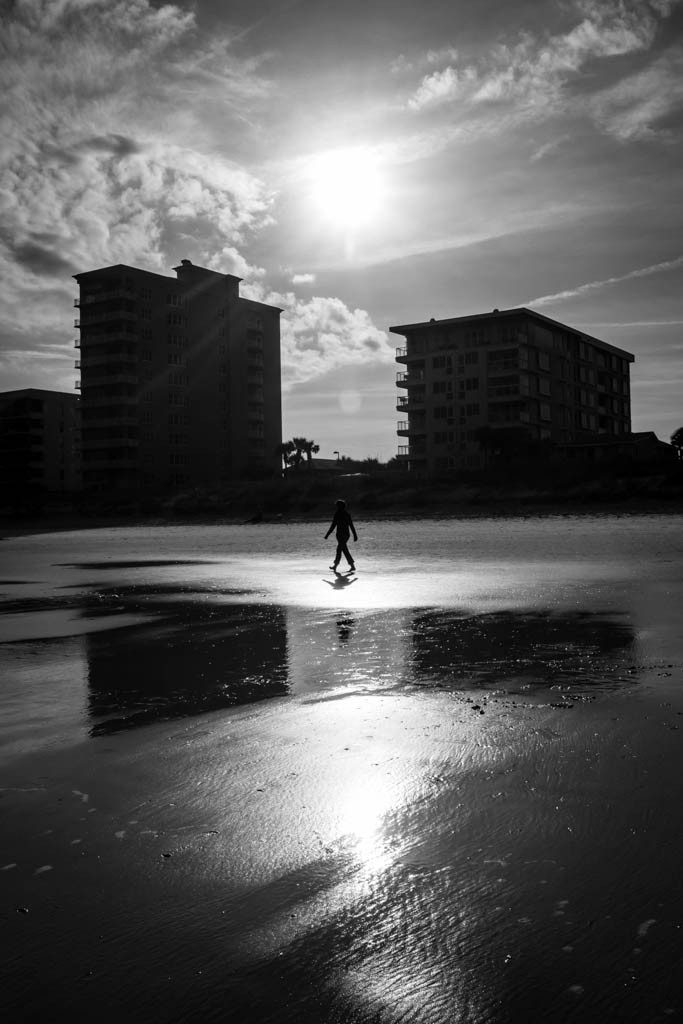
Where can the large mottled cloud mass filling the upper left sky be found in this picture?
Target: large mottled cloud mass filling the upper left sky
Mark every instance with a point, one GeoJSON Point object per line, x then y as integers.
{"type": "Point", "coordinates": [98, 98]}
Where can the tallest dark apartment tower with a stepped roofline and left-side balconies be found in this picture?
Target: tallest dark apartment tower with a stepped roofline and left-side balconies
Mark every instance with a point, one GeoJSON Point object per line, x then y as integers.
{"type": "Point", "coordinates": [181, 381]}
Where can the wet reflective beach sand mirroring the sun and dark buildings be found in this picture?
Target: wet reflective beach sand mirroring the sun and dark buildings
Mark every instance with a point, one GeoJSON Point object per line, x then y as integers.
{"type": "Point", "coordinates": [237, 789]}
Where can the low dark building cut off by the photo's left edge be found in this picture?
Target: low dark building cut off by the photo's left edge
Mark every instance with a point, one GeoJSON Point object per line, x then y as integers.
{"type": "Point", "coordinates": [39, 442]}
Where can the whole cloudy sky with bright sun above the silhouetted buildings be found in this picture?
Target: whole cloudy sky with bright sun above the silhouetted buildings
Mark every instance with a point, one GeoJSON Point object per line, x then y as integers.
{"type": "Point", "coordinates": [360, 165]}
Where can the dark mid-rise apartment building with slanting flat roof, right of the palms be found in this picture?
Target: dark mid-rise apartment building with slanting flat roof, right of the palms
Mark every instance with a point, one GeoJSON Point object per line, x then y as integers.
{"type": "Point", "coordinates": [510, 368]}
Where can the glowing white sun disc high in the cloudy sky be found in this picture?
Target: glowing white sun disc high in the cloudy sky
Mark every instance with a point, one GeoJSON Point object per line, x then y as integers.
{"type": "Point", "coordinates": [347, 187]}
